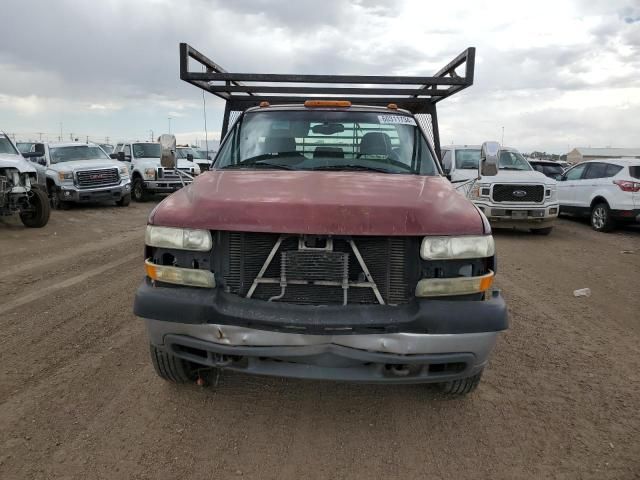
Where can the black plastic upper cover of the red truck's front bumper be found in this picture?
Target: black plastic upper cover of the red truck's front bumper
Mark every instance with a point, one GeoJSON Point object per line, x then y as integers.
{"type": "Point", "coordinates": [202, 306]}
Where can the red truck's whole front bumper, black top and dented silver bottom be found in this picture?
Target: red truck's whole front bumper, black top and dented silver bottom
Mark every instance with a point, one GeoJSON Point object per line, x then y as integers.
{"type": "Point", "coordinates": [425, 341]}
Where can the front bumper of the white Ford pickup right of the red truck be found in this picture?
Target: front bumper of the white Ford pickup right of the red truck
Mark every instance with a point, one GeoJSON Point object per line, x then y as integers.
{"type": "Point", "coordinates": [510, 215]}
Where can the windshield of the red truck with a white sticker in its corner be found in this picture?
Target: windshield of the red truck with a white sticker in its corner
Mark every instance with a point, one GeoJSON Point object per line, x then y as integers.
{"type": "Point", "coordinates": [328, 140]}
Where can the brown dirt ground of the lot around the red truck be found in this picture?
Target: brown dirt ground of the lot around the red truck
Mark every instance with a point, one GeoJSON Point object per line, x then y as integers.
{"type": "Point", "coordinates": [79, 398]}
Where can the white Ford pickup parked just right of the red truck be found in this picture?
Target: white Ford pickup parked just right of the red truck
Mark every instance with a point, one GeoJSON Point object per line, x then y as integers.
{"type": "Point", "coordinates": [518, 196]}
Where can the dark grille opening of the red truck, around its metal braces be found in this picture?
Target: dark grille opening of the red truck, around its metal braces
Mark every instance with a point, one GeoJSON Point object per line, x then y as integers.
{"type": "Point", "coordinates": [391, 262]}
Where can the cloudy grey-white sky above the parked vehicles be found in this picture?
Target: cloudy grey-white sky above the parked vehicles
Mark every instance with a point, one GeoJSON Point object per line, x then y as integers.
{"type": "Point", "coordinates": [555, 74]}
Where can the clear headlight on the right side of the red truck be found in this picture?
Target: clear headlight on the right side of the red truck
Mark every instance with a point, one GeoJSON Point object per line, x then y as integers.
{"type": "Point", "coordinates": [453, 248]}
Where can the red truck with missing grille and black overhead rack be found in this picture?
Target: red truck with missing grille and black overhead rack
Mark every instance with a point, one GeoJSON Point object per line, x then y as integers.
{"type": "Point", "coordinates": [325, 243]}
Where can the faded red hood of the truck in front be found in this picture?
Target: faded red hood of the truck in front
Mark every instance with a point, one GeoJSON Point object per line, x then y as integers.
{"type": "Point", "coordinates": [323, 203]}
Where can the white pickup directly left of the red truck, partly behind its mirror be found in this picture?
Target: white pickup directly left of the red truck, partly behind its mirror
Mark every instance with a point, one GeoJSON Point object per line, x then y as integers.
{"type": "Point", "coordinates": [148, 177]}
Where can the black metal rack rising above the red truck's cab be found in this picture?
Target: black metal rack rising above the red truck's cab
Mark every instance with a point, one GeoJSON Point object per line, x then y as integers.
{"type": "Point", "coordinates": [241, 91]}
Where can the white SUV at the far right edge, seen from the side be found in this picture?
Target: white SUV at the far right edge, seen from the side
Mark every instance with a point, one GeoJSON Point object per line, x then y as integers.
{"type": "Point", "coordinates": [607, 190]}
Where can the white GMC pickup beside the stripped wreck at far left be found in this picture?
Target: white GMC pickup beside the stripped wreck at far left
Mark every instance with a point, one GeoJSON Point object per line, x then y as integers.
{"type": "Point", "coordinates": [80, 172]}
